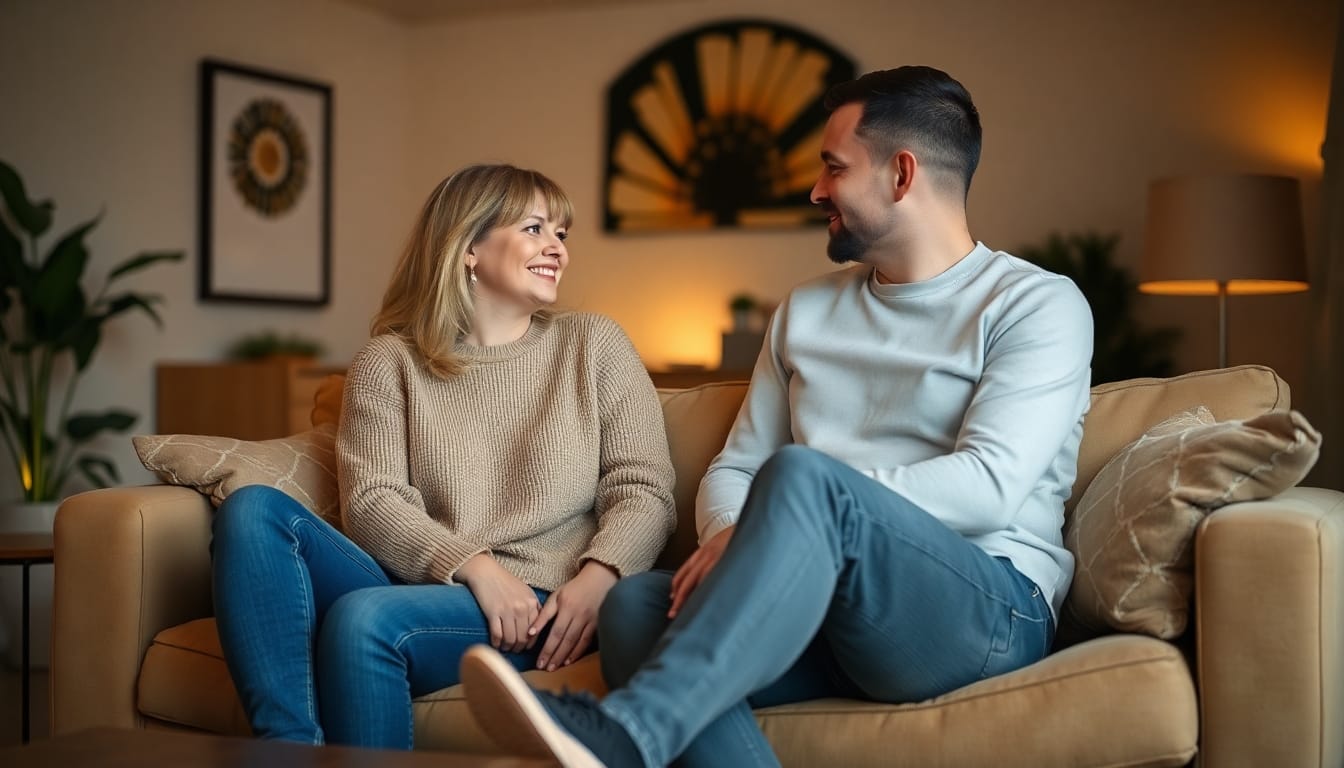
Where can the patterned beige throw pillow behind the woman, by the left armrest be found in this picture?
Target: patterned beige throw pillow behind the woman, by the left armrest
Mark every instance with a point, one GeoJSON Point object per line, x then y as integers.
{"type": "Point", "coordinates": [303, 466]}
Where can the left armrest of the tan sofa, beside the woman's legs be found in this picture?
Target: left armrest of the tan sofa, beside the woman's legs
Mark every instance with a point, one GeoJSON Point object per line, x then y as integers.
{"type": "Point", "coordinates": [130, 563]}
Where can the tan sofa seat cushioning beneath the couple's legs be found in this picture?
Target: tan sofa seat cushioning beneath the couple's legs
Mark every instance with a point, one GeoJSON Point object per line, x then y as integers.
{"type": "Point", "coordinates": [1122, 700]}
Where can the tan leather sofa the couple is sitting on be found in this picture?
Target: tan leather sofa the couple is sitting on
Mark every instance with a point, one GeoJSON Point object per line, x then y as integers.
{"type": "Point", "coordinates": [1257, 681]}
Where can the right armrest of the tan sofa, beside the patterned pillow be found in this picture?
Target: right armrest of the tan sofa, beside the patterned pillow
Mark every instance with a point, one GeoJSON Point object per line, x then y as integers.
{"type": "Point", "coordinates": [1269, 602]}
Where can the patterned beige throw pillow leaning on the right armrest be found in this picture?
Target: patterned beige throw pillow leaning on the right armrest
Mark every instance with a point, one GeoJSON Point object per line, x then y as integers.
{"type": "Point", "coordinates": [1132, 531]}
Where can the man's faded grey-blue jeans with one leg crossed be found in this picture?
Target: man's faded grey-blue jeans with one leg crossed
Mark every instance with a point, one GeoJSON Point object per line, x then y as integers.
{"type": "Point", "coordinates": [833, 586]}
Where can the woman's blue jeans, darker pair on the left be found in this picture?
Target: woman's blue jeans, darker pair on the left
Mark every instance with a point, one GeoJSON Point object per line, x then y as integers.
{"type": "Point", "coordinates": [322, 644]}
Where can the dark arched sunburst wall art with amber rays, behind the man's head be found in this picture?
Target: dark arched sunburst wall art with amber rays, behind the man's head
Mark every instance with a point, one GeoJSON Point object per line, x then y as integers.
{"type": "Point", "coordinates": [720, 127]}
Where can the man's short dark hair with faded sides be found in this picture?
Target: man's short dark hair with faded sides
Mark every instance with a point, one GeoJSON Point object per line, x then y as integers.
{"type": "Point", "coordinates": [919, 108]}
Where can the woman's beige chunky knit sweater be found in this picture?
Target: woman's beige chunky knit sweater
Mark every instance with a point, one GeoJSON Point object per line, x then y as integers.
{"type": "Point", "coordinates": [545, 453]}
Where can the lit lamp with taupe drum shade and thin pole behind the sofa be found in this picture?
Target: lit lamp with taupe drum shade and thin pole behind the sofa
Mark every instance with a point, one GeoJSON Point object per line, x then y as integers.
{"type": "Point", "coordinates": [1224, 236]}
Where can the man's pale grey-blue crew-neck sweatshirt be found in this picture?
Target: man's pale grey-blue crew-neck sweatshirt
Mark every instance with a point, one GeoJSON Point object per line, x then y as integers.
{"type": "Point", "coordinates": [964, 393]}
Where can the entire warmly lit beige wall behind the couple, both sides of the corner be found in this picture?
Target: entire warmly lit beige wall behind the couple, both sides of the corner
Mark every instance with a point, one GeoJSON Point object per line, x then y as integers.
{"type": "Point", "coordinates": [1083, 104]}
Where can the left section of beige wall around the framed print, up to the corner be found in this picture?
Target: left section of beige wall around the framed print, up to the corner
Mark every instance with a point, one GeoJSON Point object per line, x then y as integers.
{"type": "Point", "coordinates": [99, 111]}
